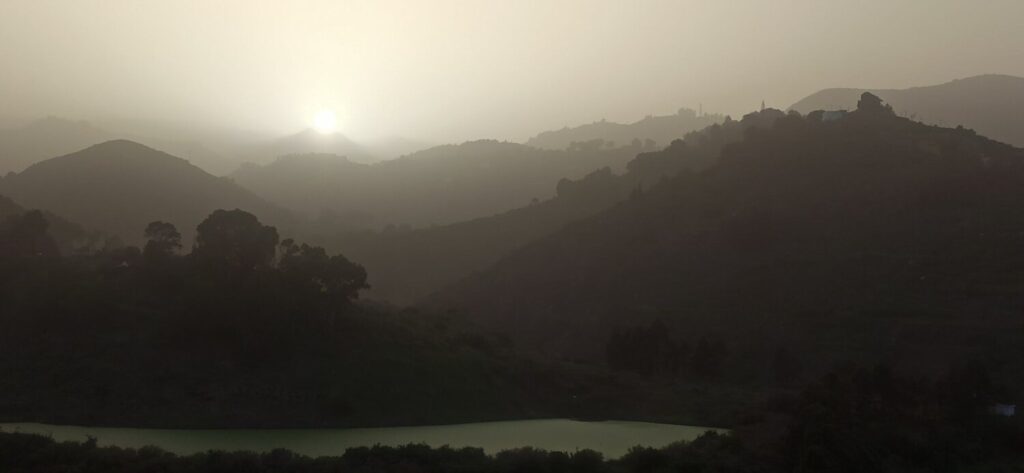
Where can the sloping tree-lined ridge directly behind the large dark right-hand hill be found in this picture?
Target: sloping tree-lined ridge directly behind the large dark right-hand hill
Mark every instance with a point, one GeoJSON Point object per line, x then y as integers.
{"type": "Point", "coordinates": [407, 266]}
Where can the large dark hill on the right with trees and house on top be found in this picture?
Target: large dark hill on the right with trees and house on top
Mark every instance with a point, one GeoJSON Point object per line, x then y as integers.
{"type": "Point", "coordinates": [867, 238]}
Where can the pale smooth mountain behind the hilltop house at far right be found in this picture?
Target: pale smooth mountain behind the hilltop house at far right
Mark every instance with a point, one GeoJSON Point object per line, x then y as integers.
{"type": "Point", "coordinates": [991, 105]}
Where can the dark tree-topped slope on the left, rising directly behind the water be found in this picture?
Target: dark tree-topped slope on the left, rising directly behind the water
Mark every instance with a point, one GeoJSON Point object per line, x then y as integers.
{"type": "Point", "coordinates": [248, 331]}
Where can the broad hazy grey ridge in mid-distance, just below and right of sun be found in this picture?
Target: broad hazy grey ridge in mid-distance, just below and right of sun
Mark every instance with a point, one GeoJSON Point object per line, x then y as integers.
{"type": "Point", "coordinates": [439, 186]}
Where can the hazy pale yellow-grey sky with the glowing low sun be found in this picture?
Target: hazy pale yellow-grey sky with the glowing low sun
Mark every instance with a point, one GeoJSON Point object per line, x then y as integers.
{"type": "Point", "coordinates": [450, 71]}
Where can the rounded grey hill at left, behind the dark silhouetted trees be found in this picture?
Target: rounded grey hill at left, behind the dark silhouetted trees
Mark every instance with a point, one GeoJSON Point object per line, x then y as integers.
{"type": "Point", "coordinates": [119, 187]}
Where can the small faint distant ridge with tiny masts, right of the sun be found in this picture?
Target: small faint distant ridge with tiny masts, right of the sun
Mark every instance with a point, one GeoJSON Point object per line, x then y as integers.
{"type": "Point", "coordinates": [662, 131]}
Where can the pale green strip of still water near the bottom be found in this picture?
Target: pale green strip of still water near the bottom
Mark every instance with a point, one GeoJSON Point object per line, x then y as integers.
{"type": "Point", "coordinates": [612, 439]}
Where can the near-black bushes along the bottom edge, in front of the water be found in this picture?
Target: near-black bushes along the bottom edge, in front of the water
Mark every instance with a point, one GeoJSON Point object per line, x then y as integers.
{"type": "Point", "coordinates": [854, 420]}
